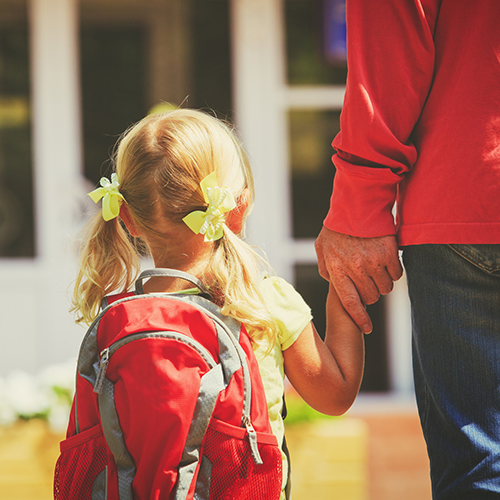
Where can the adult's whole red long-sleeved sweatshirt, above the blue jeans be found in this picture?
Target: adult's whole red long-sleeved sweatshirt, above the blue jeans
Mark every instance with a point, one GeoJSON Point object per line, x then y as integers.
{"type": "Point", "coordinates": [420, 122]}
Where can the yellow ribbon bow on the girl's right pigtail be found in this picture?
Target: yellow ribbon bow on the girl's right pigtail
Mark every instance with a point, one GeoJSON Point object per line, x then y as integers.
{"type": "Point", "coordinates": [220, 200]}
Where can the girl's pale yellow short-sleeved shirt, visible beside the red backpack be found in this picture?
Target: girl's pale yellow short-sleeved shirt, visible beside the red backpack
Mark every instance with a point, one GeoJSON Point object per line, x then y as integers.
{"type": "Point", "coordinates": [292, 315]}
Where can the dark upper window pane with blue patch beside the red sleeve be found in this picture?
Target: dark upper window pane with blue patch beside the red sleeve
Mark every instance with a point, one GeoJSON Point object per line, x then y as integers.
{"type": "Point", "coordinates": [312, 44]}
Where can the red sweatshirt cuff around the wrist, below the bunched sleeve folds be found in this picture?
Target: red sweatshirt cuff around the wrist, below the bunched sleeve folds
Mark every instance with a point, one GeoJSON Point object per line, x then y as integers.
{"type": "Point", "coordinates": [362, 201]}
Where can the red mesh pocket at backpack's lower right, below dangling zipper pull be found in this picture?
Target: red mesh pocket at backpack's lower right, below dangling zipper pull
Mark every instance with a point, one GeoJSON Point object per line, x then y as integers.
{"type": "Point", "coordinates": [234, 473]}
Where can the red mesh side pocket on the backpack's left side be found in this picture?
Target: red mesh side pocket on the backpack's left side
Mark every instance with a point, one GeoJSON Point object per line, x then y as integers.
{"type": "Point", "coordinates": [83, 457]}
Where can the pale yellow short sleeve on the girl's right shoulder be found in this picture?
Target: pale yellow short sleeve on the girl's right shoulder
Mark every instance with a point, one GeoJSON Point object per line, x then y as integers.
{"type": "Point", "coordinates": [288, 308]}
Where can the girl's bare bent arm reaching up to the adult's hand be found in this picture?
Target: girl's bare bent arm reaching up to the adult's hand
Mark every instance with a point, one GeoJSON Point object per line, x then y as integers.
{"type": "Point", "coordinates": [327, 375]}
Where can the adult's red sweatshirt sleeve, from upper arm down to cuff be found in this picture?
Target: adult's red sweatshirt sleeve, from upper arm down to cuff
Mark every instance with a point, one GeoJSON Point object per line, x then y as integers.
{"type": "Point", "coordinates": [391, 56]}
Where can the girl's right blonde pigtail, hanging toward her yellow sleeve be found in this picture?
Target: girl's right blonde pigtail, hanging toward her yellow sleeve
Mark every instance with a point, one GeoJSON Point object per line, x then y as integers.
{"type": "Point", "coordinates": [237, 270]}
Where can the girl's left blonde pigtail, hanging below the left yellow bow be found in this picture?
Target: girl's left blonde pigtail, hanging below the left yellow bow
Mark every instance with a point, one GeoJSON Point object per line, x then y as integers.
{"type": "Point", "coordinates": [109, 262]}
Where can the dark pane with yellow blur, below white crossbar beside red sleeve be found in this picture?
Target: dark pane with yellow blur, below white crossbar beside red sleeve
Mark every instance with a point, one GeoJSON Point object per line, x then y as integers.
{"type": "Point", "coordinates": [312, 171]}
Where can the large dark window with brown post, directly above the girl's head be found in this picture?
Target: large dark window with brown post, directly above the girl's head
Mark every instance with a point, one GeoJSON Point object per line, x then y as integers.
{"type": "Point", "coordinates": [136, 55]}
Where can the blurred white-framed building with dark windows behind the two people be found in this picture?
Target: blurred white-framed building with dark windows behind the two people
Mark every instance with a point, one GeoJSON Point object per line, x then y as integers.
{"type": "Point", "coordinates": [75, 74]}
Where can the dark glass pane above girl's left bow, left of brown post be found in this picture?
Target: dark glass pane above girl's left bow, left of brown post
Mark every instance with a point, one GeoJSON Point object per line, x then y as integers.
{"type": "Point", "coordinates": [113, 88]}
